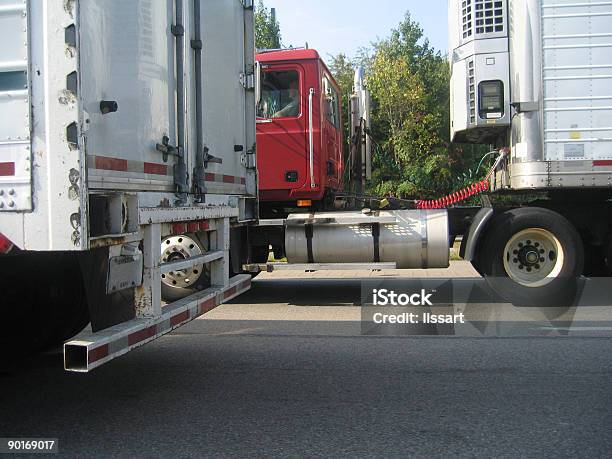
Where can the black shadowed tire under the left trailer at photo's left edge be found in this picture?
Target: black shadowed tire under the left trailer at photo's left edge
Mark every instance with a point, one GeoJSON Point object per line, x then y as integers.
{"type": "Point", "coordinates": [48, 314]}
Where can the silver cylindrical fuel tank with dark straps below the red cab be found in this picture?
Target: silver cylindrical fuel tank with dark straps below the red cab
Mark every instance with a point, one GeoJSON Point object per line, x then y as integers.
{"type": "Point", "coordinates": [410, 238]}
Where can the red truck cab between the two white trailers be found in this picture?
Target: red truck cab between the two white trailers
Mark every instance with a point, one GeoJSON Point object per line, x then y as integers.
{"type": "Point", "coordinates": [299, 129]}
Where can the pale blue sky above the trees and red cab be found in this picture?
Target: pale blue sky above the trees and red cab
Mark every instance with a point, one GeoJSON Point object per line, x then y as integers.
{"type": "Point", "coordinates": [333, 26]}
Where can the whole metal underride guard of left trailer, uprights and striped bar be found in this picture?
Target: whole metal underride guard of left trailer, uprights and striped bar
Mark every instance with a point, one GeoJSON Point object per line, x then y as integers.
{"type": "Point", "coordinates": [151, 321]}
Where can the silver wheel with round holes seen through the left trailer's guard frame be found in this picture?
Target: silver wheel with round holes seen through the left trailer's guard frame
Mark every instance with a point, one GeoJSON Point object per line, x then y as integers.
{"type": "Point", "coordinates": [182, 283]}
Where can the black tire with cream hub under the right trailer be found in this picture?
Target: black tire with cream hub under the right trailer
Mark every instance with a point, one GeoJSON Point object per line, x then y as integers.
{"type": "Point", "coordinates": [532, 257]}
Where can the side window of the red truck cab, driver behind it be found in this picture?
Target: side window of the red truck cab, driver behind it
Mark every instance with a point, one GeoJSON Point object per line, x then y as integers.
{"type": "Point", "coordinates": [280, 95]}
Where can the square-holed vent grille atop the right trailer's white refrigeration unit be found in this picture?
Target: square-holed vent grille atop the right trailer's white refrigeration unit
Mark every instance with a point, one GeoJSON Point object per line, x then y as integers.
{"type": "Point", "coordinates": [481, 17]}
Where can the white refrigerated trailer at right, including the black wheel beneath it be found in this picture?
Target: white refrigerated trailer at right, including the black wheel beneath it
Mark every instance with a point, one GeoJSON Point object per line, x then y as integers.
{"type": "Point", "coordinates": [535, 77]}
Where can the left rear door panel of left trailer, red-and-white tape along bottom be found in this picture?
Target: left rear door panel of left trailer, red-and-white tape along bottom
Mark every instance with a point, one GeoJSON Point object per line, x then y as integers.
{"type": "Point", "coordinates": [128, 70]}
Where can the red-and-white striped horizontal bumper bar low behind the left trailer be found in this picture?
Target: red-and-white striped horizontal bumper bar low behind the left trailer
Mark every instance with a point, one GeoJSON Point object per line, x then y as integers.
{"type": "Point", "coordinates": [90, 350]}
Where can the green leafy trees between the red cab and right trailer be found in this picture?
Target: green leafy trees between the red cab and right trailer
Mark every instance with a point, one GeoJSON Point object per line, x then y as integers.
{"type": "Point", "coordinates": [409, 82]}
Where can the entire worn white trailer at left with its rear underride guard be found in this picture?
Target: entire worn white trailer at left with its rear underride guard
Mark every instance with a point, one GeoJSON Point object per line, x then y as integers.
{"type": "Point", "coordinates": [125, 126]}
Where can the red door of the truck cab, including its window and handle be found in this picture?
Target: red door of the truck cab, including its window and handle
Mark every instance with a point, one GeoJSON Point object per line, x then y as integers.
{"type": "Point", "coordinates": [282, 144]}
